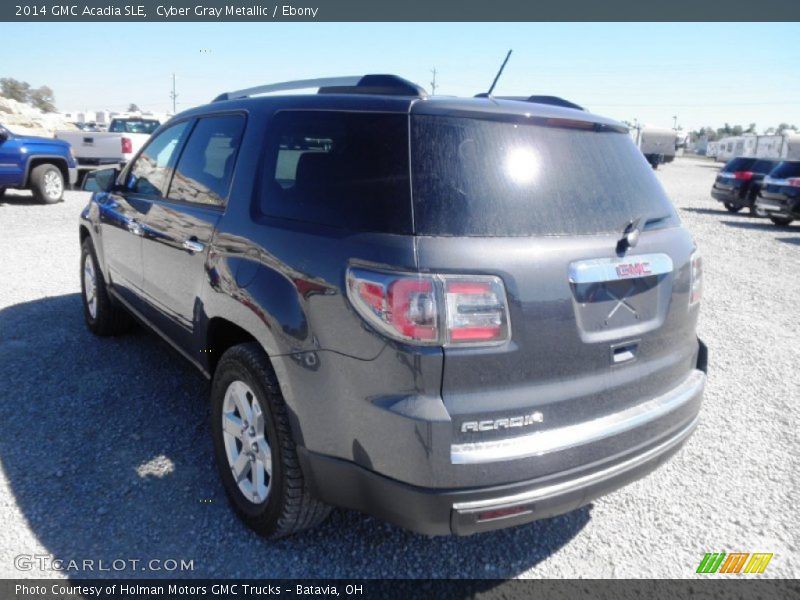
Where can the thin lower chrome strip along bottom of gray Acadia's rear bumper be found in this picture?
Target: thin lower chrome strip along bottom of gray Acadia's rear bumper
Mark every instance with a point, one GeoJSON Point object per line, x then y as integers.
{"type": "Point", "coordinates": [565, 487]}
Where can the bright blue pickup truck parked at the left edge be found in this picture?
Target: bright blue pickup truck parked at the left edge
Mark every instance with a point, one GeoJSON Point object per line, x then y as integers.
{"type": "Point", "coordinates": [44, 166]}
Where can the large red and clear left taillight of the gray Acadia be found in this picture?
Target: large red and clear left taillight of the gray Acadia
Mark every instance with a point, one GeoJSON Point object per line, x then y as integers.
{"type": "Point", "coordinates": [431, 309]}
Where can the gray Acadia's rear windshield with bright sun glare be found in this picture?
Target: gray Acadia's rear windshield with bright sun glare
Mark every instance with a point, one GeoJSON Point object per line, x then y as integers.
{"type": "Point", "coordinates": [490, 178]}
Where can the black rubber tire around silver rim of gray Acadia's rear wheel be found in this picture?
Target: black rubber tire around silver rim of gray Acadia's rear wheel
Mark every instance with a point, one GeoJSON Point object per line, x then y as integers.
{"type": "Point", "coordinates": [289, 506]}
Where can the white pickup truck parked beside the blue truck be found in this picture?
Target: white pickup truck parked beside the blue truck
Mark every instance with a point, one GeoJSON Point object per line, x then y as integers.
{"type": "Point", "coordinates": [124, 138]}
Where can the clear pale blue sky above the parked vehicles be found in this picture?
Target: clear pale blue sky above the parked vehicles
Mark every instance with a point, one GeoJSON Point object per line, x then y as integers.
{"type": "Point", "coordinates": [705, 74]}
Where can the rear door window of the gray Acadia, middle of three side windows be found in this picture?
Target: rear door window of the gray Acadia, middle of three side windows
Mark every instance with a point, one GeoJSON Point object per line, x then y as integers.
{"type": "Point", "coordinates": [205, 168]}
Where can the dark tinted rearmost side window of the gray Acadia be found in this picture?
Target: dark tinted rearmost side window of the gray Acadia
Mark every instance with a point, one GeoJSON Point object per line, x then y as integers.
{"type": "Point", "coordinates": [347, 170]}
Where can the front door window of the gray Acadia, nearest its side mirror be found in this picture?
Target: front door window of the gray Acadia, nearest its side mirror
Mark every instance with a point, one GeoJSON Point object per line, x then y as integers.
{"type": "Point", "coordinates": [149, 175]}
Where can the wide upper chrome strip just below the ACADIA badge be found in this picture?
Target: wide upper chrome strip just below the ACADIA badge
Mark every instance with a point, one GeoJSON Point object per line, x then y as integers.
{"type": "Point", "coordinates": [563, 438]}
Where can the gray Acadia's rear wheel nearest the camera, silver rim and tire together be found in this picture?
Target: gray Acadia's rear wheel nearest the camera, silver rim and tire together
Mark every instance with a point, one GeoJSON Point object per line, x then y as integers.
{"type": "Point", "coordinates": [255, 453]}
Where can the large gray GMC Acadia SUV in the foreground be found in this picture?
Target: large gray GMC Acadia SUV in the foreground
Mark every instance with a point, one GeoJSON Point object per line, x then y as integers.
{"type": "Point", "coordinates": [455, 314]}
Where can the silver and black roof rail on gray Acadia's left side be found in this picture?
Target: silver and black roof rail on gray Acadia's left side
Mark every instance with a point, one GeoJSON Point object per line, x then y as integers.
{"type": "Point", "coordinates": [353, 84]}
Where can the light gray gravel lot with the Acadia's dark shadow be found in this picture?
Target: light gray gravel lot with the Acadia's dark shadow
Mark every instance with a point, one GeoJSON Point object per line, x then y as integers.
{"type": "Point", "coordinates": [105, 449]}
